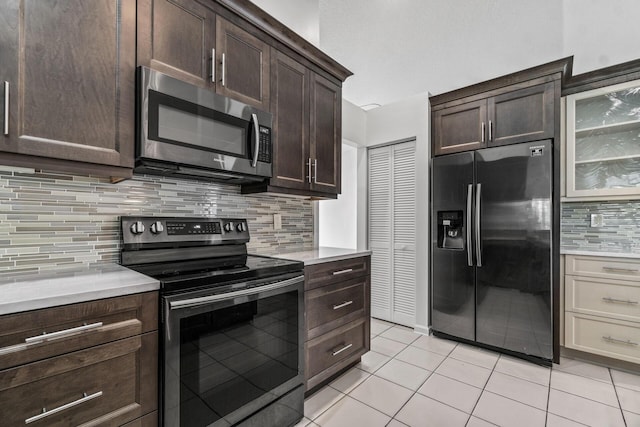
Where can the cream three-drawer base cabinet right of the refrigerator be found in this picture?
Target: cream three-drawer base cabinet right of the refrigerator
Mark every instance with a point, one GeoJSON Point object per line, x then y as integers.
{"type": "Point", "coordinates": [602, 306]}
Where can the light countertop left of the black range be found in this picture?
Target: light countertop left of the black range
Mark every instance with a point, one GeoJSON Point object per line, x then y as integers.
{"type": "Point", "coordinates": [50, 289]}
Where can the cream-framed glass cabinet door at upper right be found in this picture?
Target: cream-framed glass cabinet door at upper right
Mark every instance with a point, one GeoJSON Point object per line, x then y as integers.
{"type": "Point", "coordinates": [603, 142]}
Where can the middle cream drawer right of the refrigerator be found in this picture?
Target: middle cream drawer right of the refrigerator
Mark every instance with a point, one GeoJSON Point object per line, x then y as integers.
{"type": "Point", "coordinates": [612, 298]}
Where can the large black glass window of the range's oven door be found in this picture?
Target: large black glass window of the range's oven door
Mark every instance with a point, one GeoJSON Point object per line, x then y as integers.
{"type": "Point", "coordinates": [234, 359]}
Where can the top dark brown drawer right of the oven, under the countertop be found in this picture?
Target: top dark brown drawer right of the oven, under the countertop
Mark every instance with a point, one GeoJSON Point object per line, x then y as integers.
{"type": "Point", "coordinates": [317, 275]}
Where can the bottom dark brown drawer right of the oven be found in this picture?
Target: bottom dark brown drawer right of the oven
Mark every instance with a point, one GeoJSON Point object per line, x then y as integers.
{"type": "Point", "coordinates": [335, 347]}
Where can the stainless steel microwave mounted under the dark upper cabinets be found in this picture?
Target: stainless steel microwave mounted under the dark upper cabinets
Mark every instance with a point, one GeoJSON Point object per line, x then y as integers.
{"type": "Point", "coordinates": [188, 131]}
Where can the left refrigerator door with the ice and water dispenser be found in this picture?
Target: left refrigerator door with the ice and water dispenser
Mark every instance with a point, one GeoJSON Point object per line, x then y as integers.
{"type": "Point", "coordinates": [452, 277]}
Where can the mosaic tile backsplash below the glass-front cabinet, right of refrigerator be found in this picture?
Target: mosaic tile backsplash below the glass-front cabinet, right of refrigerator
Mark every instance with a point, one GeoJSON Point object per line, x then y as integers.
{"type": "Point", "coordinates": [620, 231]}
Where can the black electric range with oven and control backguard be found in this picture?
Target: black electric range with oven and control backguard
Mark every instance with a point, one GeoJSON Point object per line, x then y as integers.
{"type": "Point", "coordinates": [232, 324]}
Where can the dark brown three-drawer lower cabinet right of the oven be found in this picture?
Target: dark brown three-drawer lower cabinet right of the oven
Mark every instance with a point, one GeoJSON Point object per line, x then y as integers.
{"type": "Point", "coordinates": [337, 310]}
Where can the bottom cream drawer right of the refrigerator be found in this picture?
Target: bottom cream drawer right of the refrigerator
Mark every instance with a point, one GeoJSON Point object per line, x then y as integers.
{"type": "Point", "coordinates": [612, 338]}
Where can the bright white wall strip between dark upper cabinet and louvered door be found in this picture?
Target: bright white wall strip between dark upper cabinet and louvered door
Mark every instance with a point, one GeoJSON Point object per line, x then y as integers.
{"type": "Point", "coordinates": [338, 220]}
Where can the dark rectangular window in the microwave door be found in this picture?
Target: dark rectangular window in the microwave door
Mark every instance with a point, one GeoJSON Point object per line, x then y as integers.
{"type": "Point", "coordinates": [178, 121]}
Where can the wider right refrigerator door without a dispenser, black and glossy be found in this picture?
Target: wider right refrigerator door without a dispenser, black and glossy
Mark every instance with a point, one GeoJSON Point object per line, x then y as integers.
{"type": "Point", "coordinates": [513, 274]}
